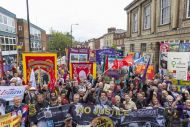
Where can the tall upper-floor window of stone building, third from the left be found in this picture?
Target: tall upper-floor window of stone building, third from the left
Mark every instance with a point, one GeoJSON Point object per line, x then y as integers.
{"type": "Point", "coordinates": [165, 12]}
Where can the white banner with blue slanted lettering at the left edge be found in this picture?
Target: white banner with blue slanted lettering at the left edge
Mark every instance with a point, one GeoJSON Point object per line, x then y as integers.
{"type": "Point", "coordinates": [9, 92]}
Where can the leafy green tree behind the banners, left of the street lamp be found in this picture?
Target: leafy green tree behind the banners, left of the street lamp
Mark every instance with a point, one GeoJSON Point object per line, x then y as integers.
{"type": "Point", "coordinates": [58, 42]}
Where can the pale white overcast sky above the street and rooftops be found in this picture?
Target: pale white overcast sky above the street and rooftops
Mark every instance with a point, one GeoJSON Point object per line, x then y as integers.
{"type": "Point", "coordinates": [93, 16]}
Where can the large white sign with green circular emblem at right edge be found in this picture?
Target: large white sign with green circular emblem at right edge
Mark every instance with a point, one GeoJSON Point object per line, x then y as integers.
{"type": "Point", "coordinates": [178, 64]}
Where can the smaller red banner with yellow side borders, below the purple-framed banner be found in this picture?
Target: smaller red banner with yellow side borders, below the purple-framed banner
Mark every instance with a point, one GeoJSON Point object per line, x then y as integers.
{"type": "Point", "coordinates": [81, 70]}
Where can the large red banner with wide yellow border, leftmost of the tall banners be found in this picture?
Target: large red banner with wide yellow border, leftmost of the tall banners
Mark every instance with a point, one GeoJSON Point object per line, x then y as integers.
{"type": "Point", "coordinates": [43, 64]}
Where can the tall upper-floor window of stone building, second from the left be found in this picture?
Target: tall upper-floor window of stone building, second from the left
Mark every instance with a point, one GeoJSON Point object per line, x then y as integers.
{"type": "Point", "coordinates": [147, 17]}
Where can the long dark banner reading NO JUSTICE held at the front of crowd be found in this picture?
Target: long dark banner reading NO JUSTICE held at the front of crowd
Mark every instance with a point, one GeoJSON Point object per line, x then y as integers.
{"type": "Point", "coordinates": [103, 116]}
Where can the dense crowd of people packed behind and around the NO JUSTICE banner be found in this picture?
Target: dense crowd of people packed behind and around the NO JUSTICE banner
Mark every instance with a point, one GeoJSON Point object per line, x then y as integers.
{"type": "Point", "coordinates": [126, 92]}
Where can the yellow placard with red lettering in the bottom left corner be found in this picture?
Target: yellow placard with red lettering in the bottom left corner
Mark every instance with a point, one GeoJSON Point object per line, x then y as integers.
{"type": "Point", "coordinates": [10, 121]}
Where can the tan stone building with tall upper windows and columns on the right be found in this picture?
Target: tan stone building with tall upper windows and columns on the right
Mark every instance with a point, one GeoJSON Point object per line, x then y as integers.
{"type": "Point", "coordinates": [150, 22]}
